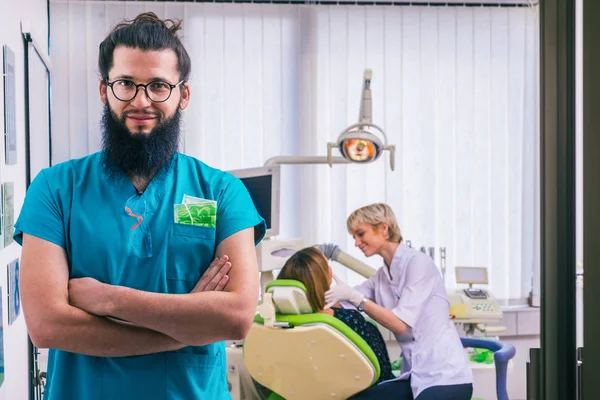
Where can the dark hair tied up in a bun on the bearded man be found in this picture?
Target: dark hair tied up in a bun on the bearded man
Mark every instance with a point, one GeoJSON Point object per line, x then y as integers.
{"type": "Point", "coordinates": [145, 32]}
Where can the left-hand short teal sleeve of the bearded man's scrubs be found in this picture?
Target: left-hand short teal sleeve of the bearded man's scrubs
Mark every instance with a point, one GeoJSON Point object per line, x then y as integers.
{"type": "Point", "coordinates": [41, 215]}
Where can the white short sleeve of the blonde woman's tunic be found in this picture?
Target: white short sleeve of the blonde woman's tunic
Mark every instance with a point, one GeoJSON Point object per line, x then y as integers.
{"type": "Point", "coordinates": [416, 291]}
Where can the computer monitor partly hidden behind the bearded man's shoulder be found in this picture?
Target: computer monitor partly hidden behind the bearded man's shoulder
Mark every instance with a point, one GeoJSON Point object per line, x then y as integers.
{"type": "Point", "coordinates": [263, 186]}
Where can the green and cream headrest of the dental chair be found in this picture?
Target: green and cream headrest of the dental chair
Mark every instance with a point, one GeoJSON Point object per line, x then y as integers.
{"type": "Point", "coordinates": [289, 297]}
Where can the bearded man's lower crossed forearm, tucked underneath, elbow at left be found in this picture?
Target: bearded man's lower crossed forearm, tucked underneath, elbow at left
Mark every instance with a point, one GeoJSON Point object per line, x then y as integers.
{"type": "Point", "coordinates": [76, 331]}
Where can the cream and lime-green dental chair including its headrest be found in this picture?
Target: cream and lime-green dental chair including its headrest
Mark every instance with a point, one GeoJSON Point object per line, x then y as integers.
{"type": "Point", "coordinates": [300, 354]}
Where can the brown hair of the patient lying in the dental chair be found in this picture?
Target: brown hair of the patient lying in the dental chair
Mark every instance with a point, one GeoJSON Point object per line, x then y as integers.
{"type": "Point", "coordinates": [310, 267]}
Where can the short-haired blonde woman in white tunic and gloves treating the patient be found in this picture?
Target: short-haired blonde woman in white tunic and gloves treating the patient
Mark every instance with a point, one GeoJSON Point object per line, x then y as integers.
{"type": "Point", "coordinates": [407, 296]}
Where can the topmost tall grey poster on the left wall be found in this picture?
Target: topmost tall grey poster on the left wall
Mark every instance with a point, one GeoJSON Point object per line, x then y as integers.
{"type": "Point", "coordinates": [10, 114]}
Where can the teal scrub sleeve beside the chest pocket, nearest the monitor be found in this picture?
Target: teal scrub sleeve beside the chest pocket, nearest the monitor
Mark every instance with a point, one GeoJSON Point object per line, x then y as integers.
{"type": "Point", "coordinates": [236, 212]}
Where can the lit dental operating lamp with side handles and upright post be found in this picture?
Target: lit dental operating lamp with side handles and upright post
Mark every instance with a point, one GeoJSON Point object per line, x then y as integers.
{"type": "Point", "coordinates": [359, 142]}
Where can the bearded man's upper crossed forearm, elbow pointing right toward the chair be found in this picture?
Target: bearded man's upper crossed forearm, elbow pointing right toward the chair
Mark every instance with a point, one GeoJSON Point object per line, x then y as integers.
{"type": "Point", "coordinates": [194, 319]}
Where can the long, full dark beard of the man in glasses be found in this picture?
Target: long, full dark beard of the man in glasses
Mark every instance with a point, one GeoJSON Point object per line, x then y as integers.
{"type": "Point", "coordinates": [140, 154]}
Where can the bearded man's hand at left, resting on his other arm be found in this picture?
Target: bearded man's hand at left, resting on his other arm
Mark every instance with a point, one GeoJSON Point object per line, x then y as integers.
{"type": "Point", "coordinates": [90, 295]}
